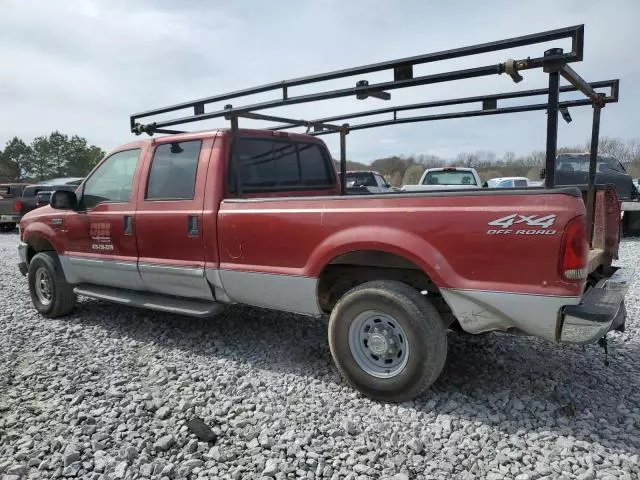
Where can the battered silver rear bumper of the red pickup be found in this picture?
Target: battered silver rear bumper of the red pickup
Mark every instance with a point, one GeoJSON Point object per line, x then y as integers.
{"type": "Point", "coordinates": [601, 309]}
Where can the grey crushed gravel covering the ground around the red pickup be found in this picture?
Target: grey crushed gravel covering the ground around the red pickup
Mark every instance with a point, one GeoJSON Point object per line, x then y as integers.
{"type": "Point", "coordinates": [108, 393]}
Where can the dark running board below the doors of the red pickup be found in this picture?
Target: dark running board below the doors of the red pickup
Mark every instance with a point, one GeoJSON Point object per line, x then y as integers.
{"type": "Point", "coordinates": [151, 301]}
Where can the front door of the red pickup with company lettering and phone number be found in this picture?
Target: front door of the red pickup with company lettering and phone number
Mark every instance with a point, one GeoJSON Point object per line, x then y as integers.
{"type": "Point", "coordinates": [101, 244]}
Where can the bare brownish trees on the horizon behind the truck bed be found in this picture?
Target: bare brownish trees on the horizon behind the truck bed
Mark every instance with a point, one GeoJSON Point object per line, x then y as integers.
{"type": "Point", "coordinates": [406, 170]}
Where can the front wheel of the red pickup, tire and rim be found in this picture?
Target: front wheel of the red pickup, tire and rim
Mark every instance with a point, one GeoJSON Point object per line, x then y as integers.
{"type": "Point", "coordinates": [50, 293]}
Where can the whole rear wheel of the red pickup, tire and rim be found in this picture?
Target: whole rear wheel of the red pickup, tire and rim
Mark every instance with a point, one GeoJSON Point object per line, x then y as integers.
{"type": "Point", "coordinates": [387, 340]}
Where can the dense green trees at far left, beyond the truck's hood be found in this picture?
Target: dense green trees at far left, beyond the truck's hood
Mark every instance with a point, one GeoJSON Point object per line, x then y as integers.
{"type": "Point", "coordinates": [47, 156]}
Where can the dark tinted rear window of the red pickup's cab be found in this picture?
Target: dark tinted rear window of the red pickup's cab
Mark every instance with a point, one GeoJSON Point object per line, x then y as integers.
{"type": "Point", "coordinates": [281, 165]}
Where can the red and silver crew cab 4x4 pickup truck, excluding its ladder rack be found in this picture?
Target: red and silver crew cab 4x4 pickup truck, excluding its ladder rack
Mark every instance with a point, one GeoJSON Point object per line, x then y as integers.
{"type": "Point", "coordinates": [161, 224]}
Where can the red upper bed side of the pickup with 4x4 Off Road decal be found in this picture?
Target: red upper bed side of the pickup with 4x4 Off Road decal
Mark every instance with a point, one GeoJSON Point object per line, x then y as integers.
{"type": "Point", "coordinates": [447, 235]}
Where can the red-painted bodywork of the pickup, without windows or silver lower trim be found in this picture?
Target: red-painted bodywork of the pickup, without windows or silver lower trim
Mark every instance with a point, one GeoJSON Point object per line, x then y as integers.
{"type": "Point", "coordinates": [444, 234]}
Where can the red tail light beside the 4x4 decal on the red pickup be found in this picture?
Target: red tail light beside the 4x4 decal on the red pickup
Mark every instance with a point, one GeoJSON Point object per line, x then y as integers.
{"type": "Point", "coordinates": [574, 250]}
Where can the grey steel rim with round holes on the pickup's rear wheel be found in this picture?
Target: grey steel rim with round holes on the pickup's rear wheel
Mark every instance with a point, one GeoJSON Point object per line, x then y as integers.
{"type": "Point", "coordinates": [378, 344]}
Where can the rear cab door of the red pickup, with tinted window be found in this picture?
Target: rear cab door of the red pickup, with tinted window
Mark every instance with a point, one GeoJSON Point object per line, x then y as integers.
{"type": "Point", "coordinates": [169, 219]}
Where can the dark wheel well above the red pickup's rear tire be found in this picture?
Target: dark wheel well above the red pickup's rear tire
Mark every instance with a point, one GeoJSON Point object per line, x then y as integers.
{"type": "Point", "coordinates": [354, 268]}
